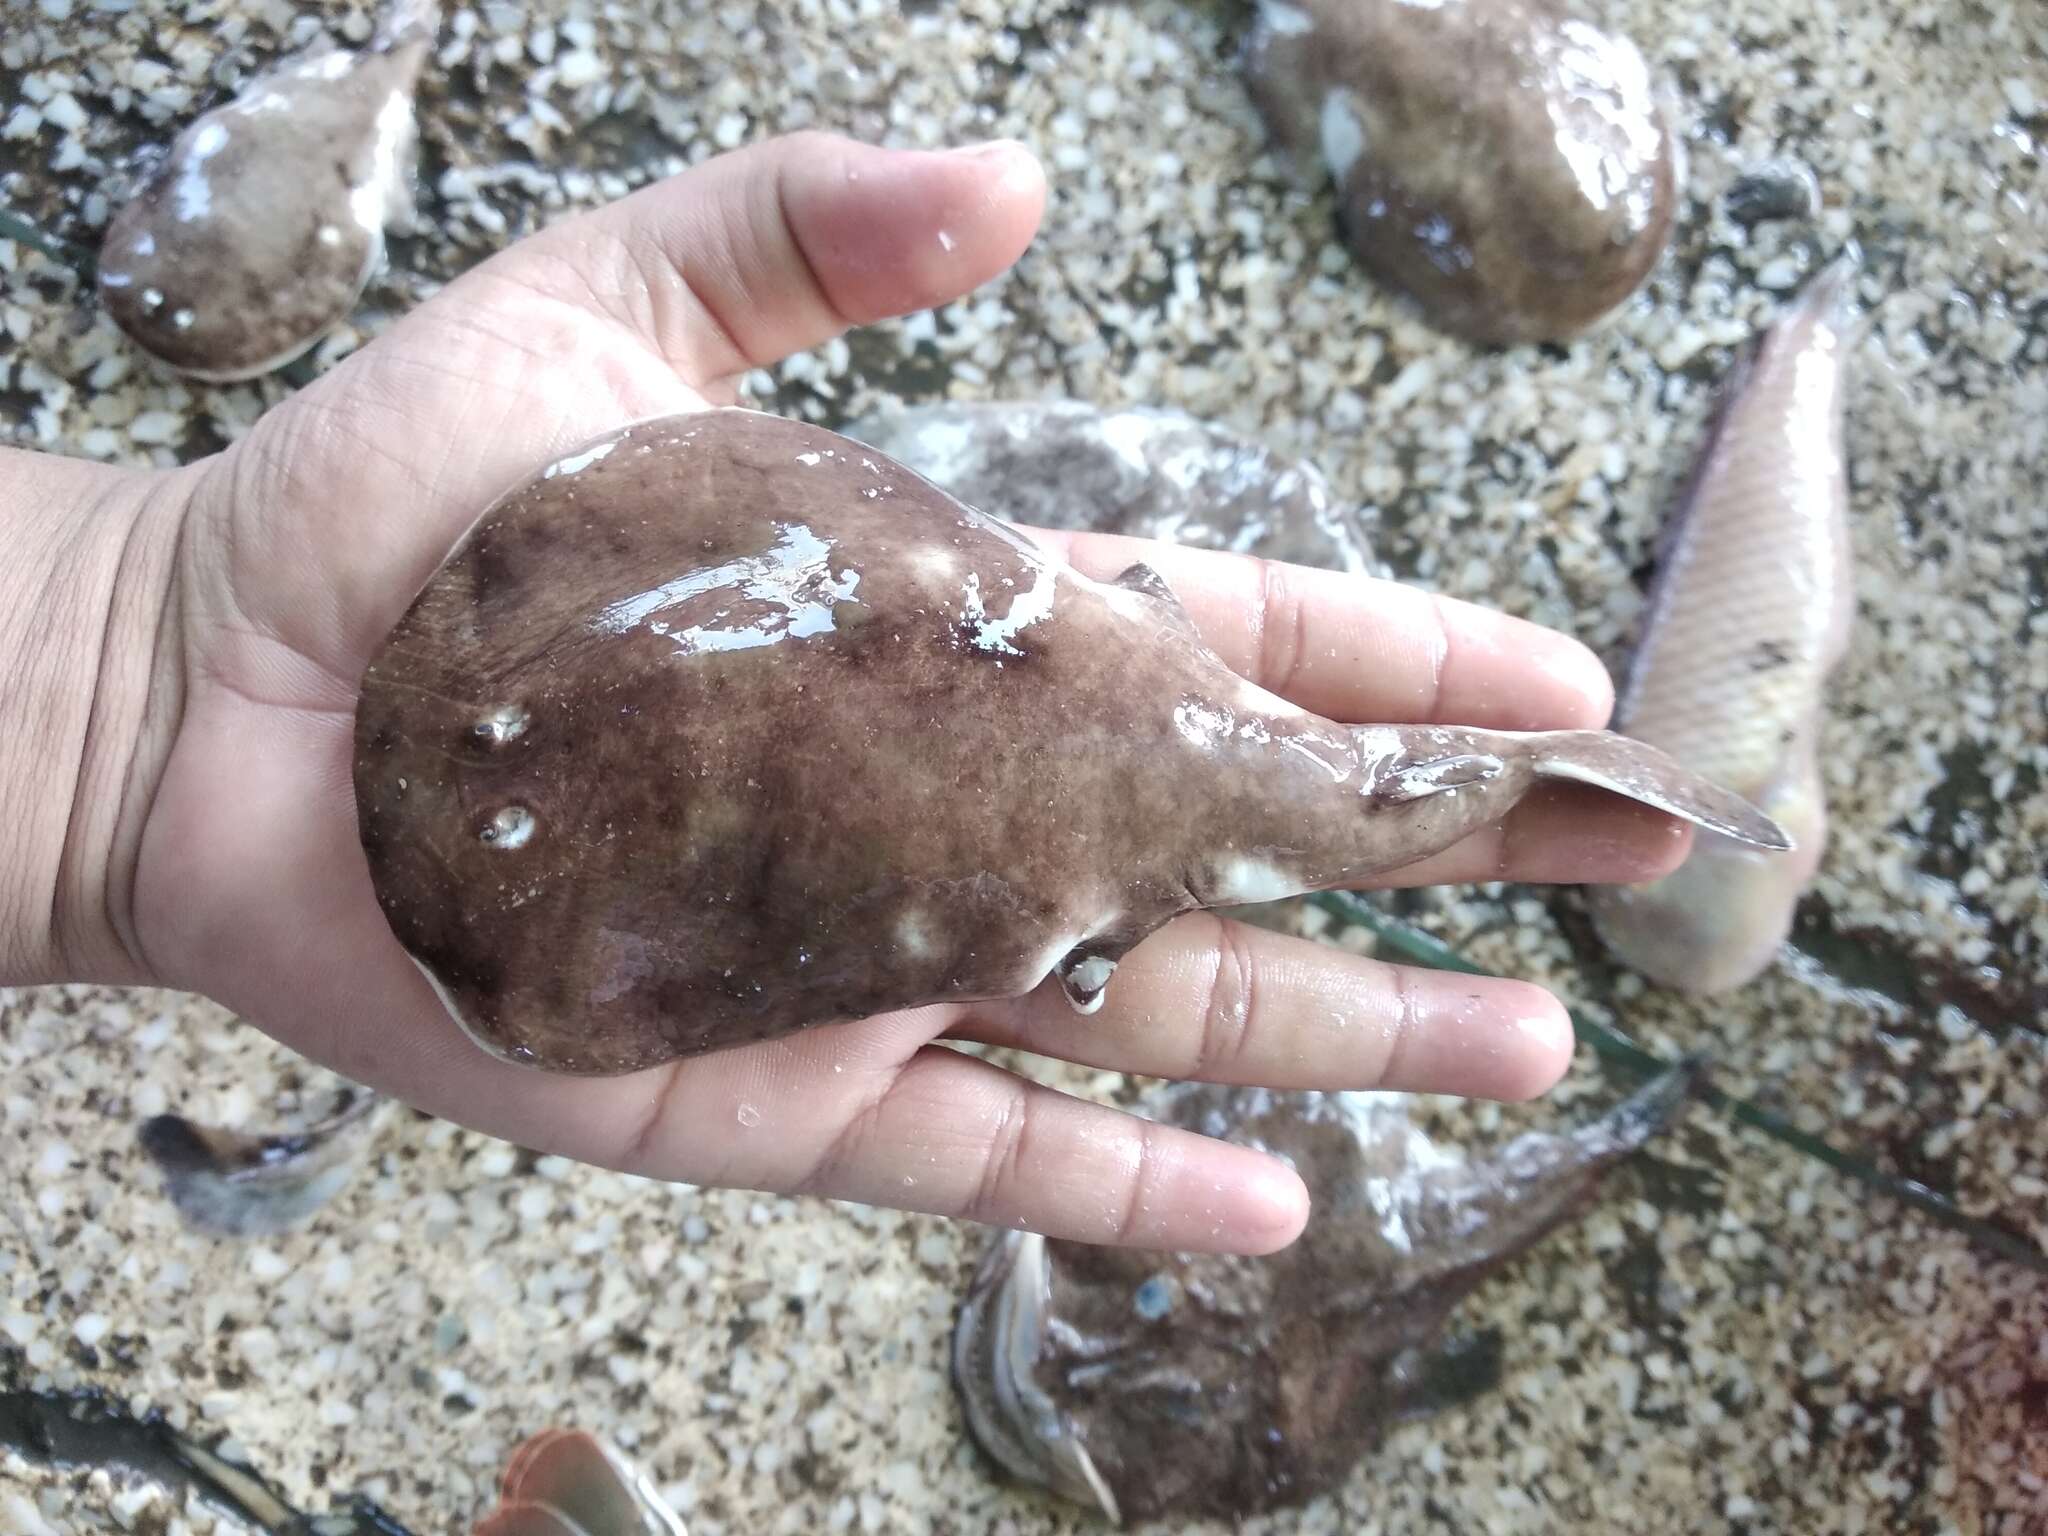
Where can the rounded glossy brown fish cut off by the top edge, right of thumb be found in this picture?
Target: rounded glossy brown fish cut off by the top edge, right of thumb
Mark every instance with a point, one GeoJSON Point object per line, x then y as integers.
{"type": "Point", "coordinates": [1463, 138]}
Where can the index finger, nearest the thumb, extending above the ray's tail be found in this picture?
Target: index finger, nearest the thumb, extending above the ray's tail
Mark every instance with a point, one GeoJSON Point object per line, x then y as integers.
{"type": "Point", "coordinates": [1361, 650]}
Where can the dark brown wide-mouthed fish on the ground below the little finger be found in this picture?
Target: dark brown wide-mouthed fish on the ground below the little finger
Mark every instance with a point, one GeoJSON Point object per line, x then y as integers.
{"type": "Point", "coordinates": [1168, 1385]}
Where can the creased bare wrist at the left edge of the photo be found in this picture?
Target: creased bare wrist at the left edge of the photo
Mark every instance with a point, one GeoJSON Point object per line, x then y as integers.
{"type": "Point", "coordinates": [91, 693]}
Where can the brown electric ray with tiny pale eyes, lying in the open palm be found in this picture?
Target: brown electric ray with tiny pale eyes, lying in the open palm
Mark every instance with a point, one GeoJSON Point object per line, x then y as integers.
{"type": "Point", "coordinates": [728, 726]}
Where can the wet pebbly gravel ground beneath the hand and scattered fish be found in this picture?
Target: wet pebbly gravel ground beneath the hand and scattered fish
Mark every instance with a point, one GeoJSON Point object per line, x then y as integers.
{"type": "Point", "coordinates": [1734, 1342]}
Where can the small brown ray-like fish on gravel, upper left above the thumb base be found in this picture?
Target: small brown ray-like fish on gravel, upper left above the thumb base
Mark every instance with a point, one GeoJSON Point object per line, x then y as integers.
{"type": "Point", "coordinates": [265, 220]}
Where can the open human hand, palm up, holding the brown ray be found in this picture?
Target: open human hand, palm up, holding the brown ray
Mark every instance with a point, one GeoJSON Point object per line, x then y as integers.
{"type": "Point", "coordinates": [232, 865]}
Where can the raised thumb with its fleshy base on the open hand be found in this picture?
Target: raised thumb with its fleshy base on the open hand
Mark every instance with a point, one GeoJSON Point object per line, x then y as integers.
{"type": "Point", "coordinates": [345, 501]}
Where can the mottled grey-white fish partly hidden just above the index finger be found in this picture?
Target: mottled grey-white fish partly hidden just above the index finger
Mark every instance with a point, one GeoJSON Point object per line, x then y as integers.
{"type": "Point", "coordinates": [1146, 474]}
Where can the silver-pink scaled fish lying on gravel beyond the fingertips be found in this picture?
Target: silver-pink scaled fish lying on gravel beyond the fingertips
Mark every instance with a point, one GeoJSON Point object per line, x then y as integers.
{"type": "Point", "coordinates": [1748, 617]}
